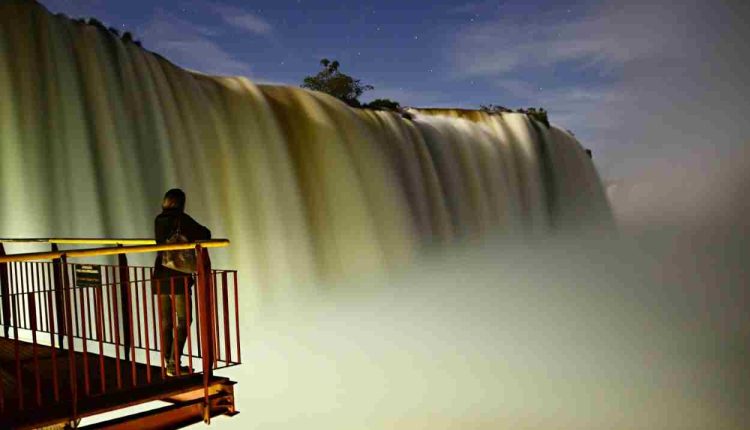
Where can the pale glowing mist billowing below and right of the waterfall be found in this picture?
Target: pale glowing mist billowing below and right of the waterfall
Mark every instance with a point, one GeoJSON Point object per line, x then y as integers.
{"type": "Point", "coordinates": [647, 329]}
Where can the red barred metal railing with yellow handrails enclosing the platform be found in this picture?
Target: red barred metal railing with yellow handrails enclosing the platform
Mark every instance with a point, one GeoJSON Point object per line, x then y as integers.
{"type": "Point", "coordinates": [85, 331]}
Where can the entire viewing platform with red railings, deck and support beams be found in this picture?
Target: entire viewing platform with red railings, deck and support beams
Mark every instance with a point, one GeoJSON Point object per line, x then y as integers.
{"type": "Point", "coordinates": [81, 339]}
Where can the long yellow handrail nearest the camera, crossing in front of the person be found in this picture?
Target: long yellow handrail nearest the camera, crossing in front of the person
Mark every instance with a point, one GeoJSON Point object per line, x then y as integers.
{"type": "Point", "coordinates": [31, 256]}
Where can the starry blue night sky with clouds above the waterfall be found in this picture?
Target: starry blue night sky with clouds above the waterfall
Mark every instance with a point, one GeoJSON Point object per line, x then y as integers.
{"type": "Point", "coordinates": [641, 83]}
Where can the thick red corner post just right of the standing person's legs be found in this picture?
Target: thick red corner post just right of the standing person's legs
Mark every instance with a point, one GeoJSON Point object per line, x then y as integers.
{"type": "Point", "coordinates": [204, 311]}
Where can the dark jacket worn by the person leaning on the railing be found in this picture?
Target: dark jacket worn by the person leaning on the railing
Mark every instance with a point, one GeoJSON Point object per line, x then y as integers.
{"type": "Point", "coordinates": [164, 225]}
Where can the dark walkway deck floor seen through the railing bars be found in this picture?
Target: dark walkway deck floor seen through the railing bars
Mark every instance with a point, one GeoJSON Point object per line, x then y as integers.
{"type": "Point", "coordinates": [23, 411]}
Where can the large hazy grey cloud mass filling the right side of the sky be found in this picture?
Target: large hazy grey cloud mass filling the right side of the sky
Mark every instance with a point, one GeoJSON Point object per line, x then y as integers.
{"type": "Point", "coordinates": [650, 82]}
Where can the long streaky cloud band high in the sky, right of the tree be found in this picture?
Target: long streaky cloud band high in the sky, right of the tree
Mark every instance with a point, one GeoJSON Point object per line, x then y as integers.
{"type": "Point", "coordinates": [606, 40]}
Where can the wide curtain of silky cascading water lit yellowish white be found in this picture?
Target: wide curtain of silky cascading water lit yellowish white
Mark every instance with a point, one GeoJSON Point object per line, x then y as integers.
{"type": "Point", "coordinates": [94, 130]}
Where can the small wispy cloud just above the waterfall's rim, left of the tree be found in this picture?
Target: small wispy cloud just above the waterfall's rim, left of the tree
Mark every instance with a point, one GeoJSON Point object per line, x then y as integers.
{"type": "Point", "coordinates": [190, 46]}
